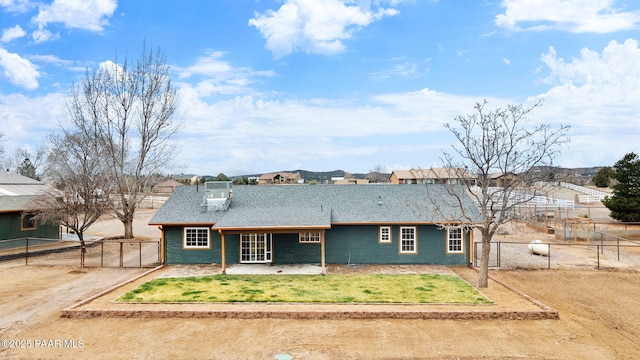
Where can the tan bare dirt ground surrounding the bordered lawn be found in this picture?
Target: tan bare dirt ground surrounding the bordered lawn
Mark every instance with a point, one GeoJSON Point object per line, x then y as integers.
{"type": "Point", "coordinates": [599, 319]}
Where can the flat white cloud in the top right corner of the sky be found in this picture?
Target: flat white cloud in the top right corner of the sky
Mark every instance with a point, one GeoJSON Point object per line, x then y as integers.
{"type": "Point", "coordinates": [578, 16]}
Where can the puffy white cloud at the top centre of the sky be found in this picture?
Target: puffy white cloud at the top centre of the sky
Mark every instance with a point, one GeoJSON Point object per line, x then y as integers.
{"type": "Point", "coordinates": [315, 26]}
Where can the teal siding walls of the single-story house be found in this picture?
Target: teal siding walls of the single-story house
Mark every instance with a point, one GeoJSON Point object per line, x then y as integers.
{"type": "Point", "coordinates": [356, 244]}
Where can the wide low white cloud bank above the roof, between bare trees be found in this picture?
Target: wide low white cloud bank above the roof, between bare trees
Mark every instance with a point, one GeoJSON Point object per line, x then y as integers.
{"type": "Point", "coordinates": [286, 133]}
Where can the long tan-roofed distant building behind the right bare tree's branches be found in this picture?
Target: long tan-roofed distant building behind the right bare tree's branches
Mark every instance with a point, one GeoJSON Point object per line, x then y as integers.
{"type": "Point", "coordinates": [431, 176]}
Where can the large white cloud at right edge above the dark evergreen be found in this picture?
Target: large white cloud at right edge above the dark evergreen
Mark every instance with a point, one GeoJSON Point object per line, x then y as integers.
{"type": "Point", "coordinates": [597, 94]}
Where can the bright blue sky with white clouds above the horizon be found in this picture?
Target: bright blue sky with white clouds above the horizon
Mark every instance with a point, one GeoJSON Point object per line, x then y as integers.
{"type": "Point", "coordinates": [328, 84]}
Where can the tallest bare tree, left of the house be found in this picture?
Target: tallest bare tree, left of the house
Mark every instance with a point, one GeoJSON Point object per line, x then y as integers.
{"type": "Point", "coordinates": [127, 110]}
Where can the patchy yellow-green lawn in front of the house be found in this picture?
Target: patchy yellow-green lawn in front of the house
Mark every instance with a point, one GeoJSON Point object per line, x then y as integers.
{"type": "Point", "coordinates": [332, 288]}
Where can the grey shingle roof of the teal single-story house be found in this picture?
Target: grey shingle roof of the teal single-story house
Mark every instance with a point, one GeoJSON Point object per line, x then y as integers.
{"type": "Point", "coordinates": [317, 205]}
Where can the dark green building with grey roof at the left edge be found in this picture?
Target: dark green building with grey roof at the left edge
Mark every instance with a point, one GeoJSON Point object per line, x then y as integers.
{"type": "Point", "coordinates": [17, 194]}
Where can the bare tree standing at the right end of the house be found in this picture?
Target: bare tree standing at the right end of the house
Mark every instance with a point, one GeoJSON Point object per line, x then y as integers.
{"type": "Point", "coordinates": [500, 142]}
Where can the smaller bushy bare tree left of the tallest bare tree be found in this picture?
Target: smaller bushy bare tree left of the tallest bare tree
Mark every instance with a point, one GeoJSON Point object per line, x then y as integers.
{"type": "Point", "coordinates": [78, 197]}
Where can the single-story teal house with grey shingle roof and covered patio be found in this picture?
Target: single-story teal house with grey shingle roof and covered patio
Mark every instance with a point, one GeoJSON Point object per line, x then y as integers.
{"type": "Point", "coordinates": [368, 224]}
